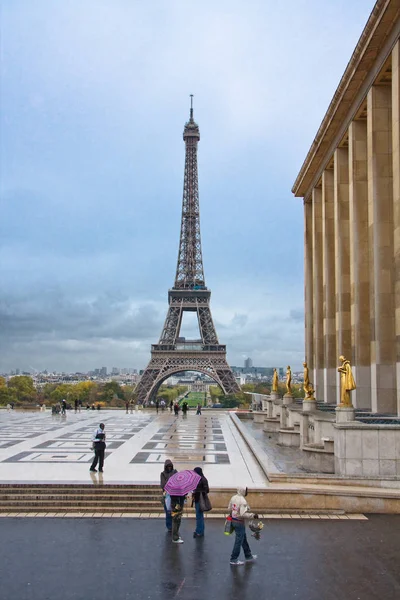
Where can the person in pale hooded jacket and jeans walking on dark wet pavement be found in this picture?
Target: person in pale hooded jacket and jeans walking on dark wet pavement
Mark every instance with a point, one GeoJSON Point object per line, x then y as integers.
{"type": "Point", "coordinates": [240, 511]}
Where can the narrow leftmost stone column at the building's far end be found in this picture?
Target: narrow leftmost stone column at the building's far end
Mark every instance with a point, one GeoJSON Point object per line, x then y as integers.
{"type": "Point", "coordinates": [308, 284]}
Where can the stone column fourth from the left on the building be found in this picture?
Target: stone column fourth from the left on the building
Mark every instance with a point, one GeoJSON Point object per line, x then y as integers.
{"type": "Point", "coordinates": [342, 257]}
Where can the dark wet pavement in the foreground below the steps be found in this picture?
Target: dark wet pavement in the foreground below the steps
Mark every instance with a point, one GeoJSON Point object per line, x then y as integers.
{"type": "Point", "coordinates": [85, 559]}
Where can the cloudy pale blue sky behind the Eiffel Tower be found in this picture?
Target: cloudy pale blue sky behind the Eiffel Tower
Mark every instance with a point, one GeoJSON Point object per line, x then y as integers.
{"type": "Point", "coordinates": [94, 96]}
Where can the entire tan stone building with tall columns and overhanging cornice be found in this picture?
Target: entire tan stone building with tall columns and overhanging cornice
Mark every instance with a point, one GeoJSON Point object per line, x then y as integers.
{"type": "Point", "coordinates": [350, 183]}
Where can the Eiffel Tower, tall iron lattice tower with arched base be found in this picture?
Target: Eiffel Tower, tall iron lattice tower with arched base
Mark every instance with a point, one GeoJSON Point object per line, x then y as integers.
{"type": "Point", "coordinates": [174, 354]}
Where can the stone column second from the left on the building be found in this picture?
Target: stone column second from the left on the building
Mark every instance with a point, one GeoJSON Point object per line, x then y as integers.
{"type": "Point", "coordinates": [318, 294]}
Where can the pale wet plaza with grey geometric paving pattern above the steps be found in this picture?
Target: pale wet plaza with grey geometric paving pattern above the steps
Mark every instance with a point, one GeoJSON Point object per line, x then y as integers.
{"type": "Point", "coordinates": [41, 447]}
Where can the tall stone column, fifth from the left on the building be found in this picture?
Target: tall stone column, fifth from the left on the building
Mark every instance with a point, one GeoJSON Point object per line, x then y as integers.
{"type": "Point", "coordinates": [359, 264]}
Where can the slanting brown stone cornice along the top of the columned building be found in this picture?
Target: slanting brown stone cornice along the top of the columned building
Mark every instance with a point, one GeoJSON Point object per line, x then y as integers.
{"type": "Point", "coordinates": [376, 40]}
